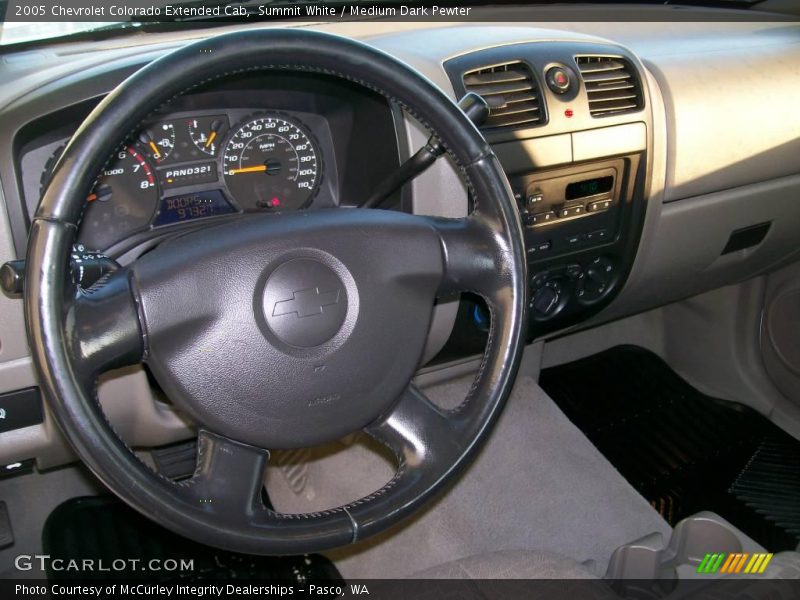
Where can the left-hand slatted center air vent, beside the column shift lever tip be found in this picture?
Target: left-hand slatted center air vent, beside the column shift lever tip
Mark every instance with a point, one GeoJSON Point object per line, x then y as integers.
{"type": "Point", "coordinates": [511, 92]}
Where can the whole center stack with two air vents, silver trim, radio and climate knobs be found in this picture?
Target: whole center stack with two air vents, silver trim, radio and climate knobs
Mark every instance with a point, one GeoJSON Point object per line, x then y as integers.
{"type": "Point", "coordinates": [570, 124]}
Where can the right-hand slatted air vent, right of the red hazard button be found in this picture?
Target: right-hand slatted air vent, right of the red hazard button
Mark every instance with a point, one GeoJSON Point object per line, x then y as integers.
{"type": "Point", "coordinates": [611, 84]}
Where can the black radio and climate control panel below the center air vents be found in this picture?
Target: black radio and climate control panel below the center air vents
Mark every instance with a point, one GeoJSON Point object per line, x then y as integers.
{"type": "Point", "coordinates": [578, 222]}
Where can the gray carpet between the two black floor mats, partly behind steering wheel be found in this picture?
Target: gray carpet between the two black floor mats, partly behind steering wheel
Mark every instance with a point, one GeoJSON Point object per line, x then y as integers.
{"type": "Point", "coordinates": [538, 484]}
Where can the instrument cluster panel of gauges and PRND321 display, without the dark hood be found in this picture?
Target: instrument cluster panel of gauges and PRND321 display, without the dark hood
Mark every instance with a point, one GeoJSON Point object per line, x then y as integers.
{"type": "Point", "coordinates": [187, 166]}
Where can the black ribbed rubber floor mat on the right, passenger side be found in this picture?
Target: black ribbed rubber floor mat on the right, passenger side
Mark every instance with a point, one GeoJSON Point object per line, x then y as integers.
{"type": "Point", "coordinates": [682, 450]}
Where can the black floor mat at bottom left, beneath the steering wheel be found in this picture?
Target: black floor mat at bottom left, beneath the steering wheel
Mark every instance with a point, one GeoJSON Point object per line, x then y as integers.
{"type": "Point", "coordinates": [103, 529]}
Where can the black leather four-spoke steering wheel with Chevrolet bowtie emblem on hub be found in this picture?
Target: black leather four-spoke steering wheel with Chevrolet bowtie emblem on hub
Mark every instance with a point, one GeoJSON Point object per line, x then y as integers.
{"type": "Point", "coordinates": [277, 331]}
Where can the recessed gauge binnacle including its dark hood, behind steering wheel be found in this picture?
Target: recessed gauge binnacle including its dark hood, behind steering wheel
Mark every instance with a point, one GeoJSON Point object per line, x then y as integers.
{"type": "Point", "coordinates": [256, 145]}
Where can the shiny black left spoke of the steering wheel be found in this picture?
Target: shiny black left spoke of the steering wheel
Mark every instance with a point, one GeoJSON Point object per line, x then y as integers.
{"type": "Point", "coordinates": [102, 324]}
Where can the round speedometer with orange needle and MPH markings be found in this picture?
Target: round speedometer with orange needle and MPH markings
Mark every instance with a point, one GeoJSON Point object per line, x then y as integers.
{"type": "Point", "coordinates": [271, 162]}
